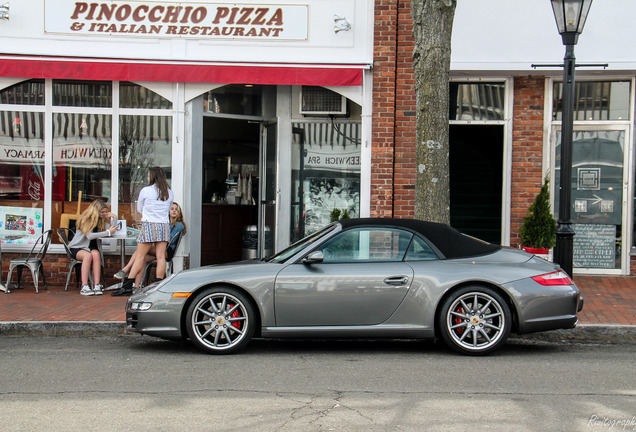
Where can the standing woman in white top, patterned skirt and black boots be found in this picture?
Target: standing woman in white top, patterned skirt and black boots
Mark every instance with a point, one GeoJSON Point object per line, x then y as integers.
{"type": "Point", "coordinates": [154, 204]}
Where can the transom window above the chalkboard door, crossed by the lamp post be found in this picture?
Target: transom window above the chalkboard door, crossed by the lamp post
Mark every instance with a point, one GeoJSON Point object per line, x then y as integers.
{"type": "Point", "coordinates": [595, 100]}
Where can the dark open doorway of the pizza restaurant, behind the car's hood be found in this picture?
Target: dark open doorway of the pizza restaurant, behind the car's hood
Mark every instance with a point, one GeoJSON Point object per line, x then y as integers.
{"type": "Point", "coordinates": [230, 180]}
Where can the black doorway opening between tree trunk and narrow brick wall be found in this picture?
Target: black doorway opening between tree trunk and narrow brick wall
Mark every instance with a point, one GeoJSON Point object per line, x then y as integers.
{"type": "Point", "coordinates": [476, 180]}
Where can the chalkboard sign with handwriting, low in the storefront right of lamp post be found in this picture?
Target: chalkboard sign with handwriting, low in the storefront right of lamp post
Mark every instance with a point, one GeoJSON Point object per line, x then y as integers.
{"type": "Point", "coordinates": [594, 246]}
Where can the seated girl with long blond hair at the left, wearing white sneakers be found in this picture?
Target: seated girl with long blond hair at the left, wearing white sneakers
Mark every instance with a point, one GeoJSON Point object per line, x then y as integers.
{"type": "Point", "coordinates": [95, 222]}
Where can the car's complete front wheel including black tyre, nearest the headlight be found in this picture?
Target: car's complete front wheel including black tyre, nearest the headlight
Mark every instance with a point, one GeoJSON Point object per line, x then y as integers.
{"type": "Point", "coordinates": [220, 320]}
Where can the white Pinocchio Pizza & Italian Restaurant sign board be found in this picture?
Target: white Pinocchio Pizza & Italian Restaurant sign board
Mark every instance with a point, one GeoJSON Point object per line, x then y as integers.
{"type": "Point", "coordinates": [165, 19]}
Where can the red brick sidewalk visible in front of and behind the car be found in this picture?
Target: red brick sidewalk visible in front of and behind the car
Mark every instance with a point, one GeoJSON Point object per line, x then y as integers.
{"type": "Point", "coordinates": [608, 301]}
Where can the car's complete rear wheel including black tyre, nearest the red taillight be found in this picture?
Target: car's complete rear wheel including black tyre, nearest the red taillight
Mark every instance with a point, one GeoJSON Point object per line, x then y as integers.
{"type": "Point", "coordinates": [475, 320]}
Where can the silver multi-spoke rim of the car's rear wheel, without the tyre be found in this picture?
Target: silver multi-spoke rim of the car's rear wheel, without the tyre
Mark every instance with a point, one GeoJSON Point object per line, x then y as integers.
{"type": "Point", "coordinates": [476, 321]}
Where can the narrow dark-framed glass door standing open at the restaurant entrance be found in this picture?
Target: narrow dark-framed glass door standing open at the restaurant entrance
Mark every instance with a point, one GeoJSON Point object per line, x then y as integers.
{"type": "Point", "coordinates": [268, 188]}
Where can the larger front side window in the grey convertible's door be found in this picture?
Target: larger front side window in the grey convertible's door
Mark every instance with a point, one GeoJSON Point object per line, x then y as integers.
{"type": "Point", "coordinates": [367, 245]}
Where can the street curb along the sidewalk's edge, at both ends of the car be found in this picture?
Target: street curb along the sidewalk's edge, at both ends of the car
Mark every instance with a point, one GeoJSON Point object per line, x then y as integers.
{"type": "Point", "coordinates": [583, 332]}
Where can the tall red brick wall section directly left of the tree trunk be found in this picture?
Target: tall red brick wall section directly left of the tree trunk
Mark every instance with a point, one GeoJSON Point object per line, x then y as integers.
{"type": "Point", "coordinates": [393, 135]}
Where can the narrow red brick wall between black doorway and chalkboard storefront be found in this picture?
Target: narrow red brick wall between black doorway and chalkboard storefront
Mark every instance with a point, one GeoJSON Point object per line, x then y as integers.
{"type": "Point", "coordinates": [527, 148]}
